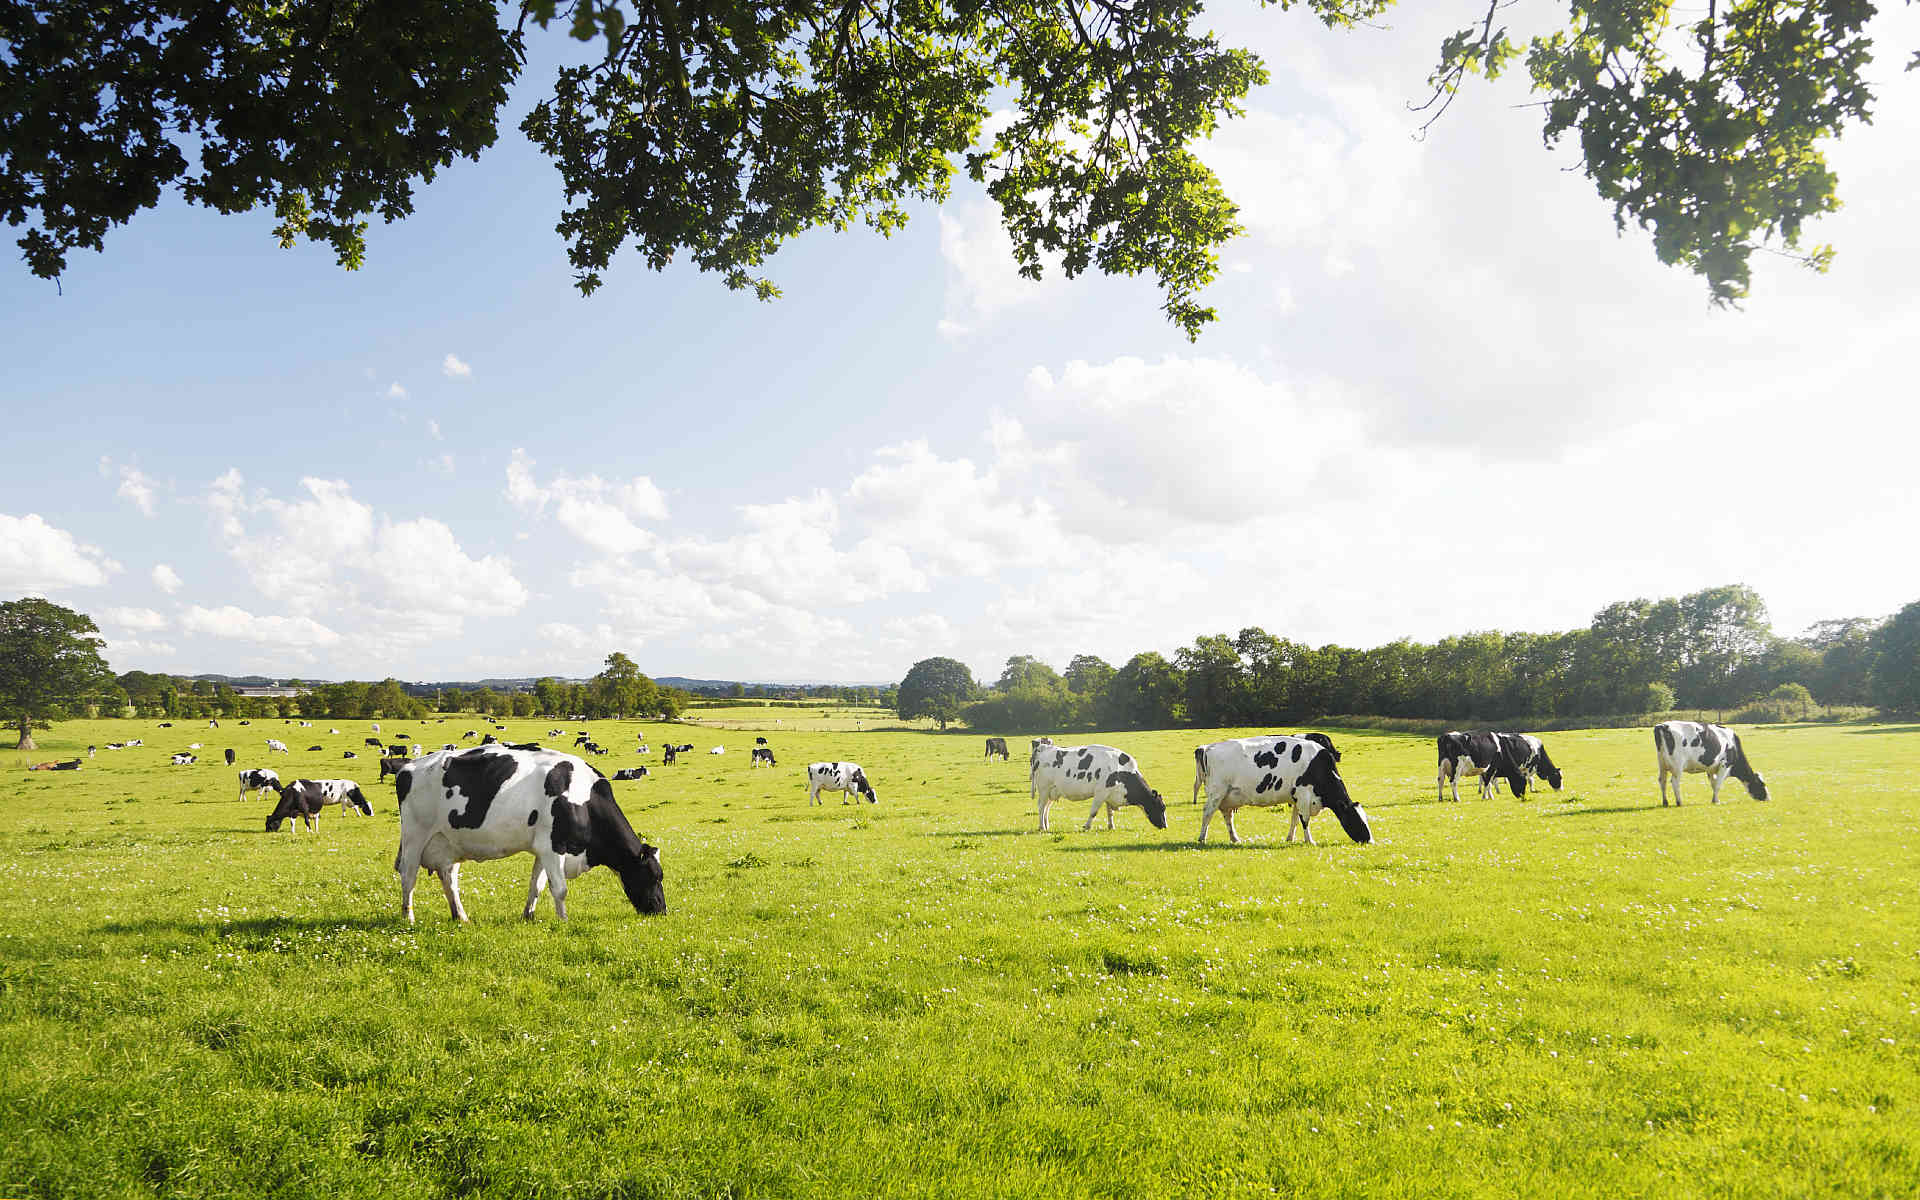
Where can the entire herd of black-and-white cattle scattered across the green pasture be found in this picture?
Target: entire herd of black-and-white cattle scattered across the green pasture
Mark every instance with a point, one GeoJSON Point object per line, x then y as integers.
{"type": "Point", "coordinates": [500, 800]}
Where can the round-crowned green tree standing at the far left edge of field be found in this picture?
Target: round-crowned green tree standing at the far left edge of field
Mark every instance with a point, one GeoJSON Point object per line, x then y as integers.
{"type": "Point", "coordinates": [49, 660]}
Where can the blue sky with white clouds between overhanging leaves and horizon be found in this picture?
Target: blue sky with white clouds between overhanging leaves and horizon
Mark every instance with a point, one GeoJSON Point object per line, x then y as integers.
{"type": "Point", "coordinates": [1443, 396]}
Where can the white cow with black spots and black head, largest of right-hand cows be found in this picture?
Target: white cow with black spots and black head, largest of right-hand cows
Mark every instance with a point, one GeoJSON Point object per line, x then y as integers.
{"type": "Point", "coordinates": [1276, 771]}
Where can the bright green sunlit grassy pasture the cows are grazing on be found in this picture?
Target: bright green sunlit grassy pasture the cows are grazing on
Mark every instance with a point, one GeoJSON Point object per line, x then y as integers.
{"type": "Point", "coordinates": [1577, 996]}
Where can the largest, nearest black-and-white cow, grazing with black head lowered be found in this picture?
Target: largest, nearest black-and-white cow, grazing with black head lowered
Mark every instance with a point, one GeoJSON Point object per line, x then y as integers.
{"type": "Point", "coordinates": [491, 802]}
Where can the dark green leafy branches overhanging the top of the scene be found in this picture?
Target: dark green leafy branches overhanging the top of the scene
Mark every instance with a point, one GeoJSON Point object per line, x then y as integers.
{"type": "Point", "coordinates": [723, 130]}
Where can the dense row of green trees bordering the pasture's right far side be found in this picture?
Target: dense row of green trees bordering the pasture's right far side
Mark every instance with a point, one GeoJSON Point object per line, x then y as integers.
{"type": "Point", "coordinates": [1710, 650]}
